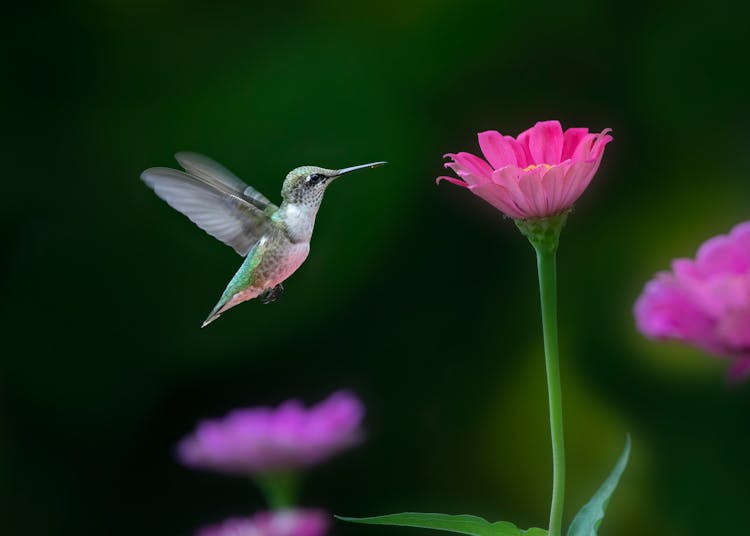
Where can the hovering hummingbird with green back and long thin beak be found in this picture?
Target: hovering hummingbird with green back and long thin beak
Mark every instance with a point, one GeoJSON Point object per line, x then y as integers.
{"type": "Point", "coordinates": [274, 240]}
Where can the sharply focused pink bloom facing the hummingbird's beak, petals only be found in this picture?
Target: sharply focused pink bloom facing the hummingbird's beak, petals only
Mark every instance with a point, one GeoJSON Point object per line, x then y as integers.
{"type": "Point", "coordinates": [540, 173]}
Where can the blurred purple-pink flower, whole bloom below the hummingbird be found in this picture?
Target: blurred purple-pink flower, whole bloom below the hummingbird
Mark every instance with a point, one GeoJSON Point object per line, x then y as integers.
{"type": "Point", "coordinates": [265, 440]}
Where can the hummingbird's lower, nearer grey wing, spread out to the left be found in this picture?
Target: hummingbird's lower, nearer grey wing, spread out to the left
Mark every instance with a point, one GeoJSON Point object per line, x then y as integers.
{"type": "Point", "coordinates": [211, 204]}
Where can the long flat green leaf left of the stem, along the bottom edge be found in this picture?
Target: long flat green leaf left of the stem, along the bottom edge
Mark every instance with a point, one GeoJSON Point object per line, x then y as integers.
{"type": "Point", "coordinates": [462, 524]}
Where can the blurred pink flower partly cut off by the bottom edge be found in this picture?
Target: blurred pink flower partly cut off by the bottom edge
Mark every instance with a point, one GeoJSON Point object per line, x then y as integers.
{"type": "Point", "coordinates": [277, 523]}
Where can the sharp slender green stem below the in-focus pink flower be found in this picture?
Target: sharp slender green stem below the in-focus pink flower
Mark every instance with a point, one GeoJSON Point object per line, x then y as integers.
{"type": "Point", "coordinates": [547, 267]}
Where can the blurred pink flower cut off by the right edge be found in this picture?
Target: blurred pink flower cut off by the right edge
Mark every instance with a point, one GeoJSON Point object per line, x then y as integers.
{"type": "Point", "coordinates": [705, 302]}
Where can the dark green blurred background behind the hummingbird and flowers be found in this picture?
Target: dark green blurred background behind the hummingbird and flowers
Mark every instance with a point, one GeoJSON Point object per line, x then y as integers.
{"type": "Point", "coordinates": [420, 298]}
